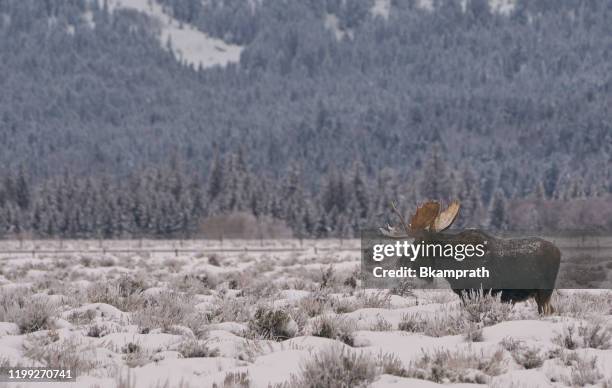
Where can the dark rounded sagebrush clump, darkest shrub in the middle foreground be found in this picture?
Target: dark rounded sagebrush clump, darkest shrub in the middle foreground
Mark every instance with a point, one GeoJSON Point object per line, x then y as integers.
{"type": "Point", "coordinates": [272, 323]}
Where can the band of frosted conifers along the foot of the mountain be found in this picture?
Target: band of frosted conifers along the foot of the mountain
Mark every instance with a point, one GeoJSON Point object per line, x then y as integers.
{"type": "Point", "coordinates": [167, 202]}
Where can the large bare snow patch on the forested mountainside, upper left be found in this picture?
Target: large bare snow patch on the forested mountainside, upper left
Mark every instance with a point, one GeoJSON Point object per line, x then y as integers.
{"type": "Point", "coordinates": [190, 45]}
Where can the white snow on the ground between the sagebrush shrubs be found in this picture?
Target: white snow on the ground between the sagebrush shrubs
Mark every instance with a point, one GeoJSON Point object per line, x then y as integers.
{"type": "Point", "coordinates": [63, 280]}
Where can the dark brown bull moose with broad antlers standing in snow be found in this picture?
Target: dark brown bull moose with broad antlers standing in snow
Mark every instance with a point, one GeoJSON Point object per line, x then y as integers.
{"type": "Point", "coordinates": [524, 268]}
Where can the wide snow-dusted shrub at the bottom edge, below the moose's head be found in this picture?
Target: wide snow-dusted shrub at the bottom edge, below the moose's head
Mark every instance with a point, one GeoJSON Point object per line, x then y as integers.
{"type": "Point", "coordinates": [459, 366]}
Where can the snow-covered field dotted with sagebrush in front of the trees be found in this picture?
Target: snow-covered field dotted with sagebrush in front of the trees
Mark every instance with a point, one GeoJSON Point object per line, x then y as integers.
{"type": "Point", "coordinates": [280, 319]}
